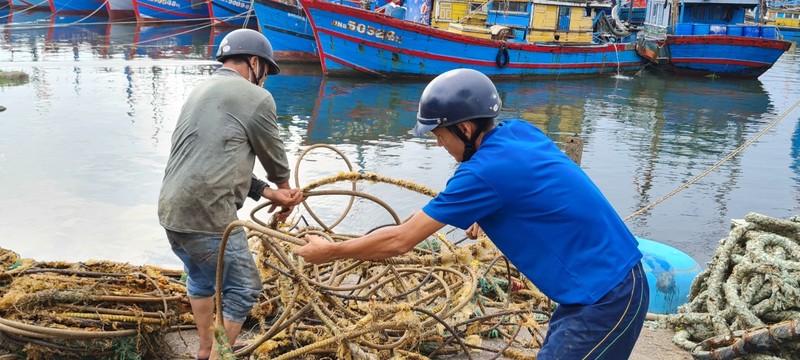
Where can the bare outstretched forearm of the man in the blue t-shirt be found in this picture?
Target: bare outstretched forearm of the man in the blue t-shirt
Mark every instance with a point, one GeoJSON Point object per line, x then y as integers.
{"type": "Point", "coordinates": [378, 245]}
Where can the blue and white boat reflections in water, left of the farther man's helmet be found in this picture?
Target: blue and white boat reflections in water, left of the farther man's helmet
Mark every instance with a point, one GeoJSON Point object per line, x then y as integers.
{"type": "Point", "coordinates": [42, 36]}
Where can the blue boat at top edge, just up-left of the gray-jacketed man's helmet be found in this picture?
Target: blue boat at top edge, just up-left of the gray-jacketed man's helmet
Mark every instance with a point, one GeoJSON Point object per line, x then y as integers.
{"type": "Point", "coordinates": [170, 10]}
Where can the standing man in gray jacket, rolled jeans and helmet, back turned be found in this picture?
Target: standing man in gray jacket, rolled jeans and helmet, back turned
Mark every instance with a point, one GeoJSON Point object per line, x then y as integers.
{"type": "Point", "coordinates": [225, 124]}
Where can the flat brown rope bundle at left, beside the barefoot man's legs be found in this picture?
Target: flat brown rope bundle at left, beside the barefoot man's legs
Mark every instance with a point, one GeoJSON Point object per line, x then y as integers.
{"type": "Point", "coordinates": [86, 310]}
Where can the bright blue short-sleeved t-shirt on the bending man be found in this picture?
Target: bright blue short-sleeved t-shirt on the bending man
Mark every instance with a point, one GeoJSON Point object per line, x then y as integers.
{"type": "Point", "coordinates": [543, 213]}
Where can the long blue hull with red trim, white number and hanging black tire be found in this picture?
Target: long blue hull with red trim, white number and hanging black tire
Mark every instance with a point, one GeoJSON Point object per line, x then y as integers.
{"type": "Point", "coordinates": [354, 41]}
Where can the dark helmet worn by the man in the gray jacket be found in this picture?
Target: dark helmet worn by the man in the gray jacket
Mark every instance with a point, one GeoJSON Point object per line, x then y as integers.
{"type": "Point", "coordinates": [248, 42]}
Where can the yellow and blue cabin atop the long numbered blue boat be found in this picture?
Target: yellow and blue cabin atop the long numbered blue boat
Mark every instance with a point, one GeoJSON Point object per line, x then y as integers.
{"type": "Point", "coordinates": [542, 21]}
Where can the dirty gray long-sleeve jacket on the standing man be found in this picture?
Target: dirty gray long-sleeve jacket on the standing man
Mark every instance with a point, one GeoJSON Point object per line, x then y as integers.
{"type": "Point", "coordinates": [225, 123]}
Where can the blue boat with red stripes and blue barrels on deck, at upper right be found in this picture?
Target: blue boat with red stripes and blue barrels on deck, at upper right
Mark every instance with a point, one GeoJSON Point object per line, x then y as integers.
{"type": "Point", "coordinates": [708, 37]}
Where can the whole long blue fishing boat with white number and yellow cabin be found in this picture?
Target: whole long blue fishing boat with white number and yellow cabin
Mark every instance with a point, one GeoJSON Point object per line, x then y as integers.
{"type": "Point", "coordinates": [516, 42]}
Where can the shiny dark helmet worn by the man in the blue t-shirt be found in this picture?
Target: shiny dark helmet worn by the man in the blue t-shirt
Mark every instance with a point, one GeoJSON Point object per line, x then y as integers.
{"type": "Point", "coordinates": [455, 96]}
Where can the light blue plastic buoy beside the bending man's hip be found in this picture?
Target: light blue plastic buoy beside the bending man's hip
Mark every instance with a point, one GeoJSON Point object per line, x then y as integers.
{"type": "Point", "coordinates": [670, 273]}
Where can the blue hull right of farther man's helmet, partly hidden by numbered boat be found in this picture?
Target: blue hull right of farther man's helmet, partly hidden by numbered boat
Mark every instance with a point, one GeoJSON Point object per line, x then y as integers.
{"type": "Point", "coordinates": [288, 31]}
